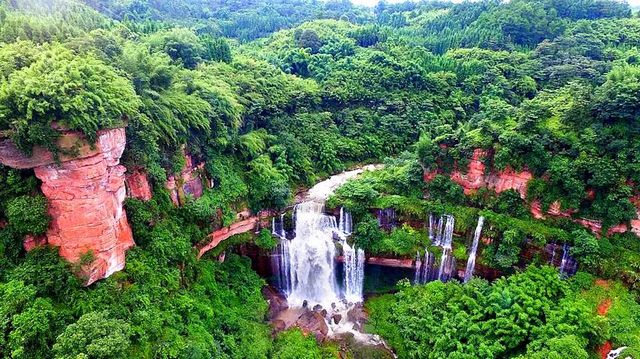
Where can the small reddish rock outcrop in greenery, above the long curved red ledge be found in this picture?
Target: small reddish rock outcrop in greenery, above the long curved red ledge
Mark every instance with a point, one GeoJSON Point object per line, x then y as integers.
{"type": "Point", "coordinates": [189, 182]}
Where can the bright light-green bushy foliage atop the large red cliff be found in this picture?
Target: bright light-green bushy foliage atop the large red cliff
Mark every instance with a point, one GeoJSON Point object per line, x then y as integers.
{"type": "Point", "coordinates": [78, 93]}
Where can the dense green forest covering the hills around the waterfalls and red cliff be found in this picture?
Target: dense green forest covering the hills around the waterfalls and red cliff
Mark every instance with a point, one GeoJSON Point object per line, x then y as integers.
{"type": "Point", "coordinates": [273, 97]}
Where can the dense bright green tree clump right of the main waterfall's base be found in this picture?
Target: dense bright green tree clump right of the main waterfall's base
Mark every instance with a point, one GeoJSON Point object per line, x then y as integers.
{"type": "Point", "coordinates": [533, 310]}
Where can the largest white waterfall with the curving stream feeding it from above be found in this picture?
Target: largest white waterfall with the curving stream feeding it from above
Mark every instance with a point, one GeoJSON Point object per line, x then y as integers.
{"type": "Point", "coordinates": [312, 251]}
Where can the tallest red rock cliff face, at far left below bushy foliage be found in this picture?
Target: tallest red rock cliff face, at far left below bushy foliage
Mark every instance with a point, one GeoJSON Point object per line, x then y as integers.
{"type": "Point", "coordinates": [85, 193]}
